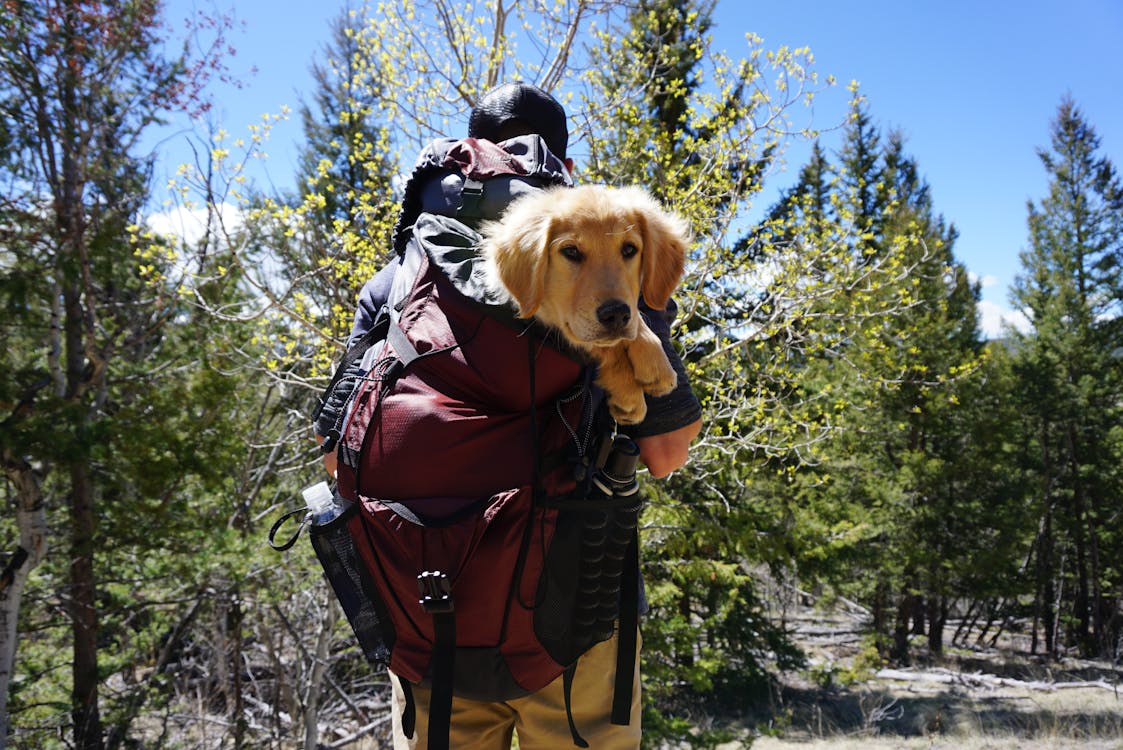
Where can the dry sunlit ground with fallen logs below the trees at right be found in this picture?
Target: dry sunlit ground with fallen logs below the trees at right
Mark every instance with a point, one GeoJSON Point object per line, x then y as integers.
{"type": "Point", "coordinates": [998, 698]}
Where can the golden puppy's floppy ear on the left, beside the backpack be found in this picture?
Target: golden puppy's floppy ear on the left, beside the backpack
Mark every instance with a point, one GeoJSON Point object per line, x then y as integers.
{"type": "Point", "coordinates": [518, 249]}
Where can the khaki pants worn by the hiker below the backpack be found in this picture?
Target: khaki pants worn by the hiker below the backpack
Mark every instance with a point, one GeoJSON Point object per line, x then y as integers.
{"type": "Point", "coordinates": [540, 719]}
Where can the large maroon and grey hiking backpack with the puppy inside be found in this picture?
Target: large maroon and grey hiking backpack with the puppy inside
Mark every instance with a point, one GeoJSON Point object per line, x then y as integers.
{"type": "Point", "coordinates": [491, 539]}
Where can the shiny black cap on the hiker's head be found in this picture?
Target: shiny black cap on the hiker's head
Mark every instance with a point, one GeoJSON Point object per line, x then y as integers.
{"type": "Point", "coordinates": [521, 109]}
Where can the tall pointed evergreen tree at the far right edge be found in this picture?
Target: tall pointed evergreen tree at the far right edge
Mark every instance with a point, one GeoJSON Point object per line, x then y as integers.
{"type": "Point", "coordinates": [1070, 364]}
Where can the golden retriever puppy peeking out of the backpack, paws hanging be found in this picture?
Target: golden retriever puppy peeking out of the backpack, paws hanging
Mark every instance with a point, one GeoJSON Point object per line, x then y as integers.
{"type": "Point", "coordinates": [579, 260]}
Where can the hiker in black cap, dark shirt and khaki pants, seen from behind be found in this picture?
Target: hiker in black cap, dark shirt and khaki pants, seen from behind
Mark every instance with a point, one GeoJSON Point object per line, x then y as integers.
{"type": "Point", "coordinates": [527, 116]}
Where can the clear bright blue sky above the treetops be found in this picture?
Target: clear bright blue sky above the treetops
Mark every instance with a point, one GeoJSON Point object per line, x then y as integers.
{"type": "Point", "coordinates": [973, 85]}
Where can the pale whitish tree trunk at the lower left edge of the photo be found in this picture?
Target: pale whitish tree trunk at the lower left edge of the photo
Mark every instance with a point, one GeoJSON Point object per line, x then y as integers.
{"type": "Point", "coordinates": [32, 522]}
